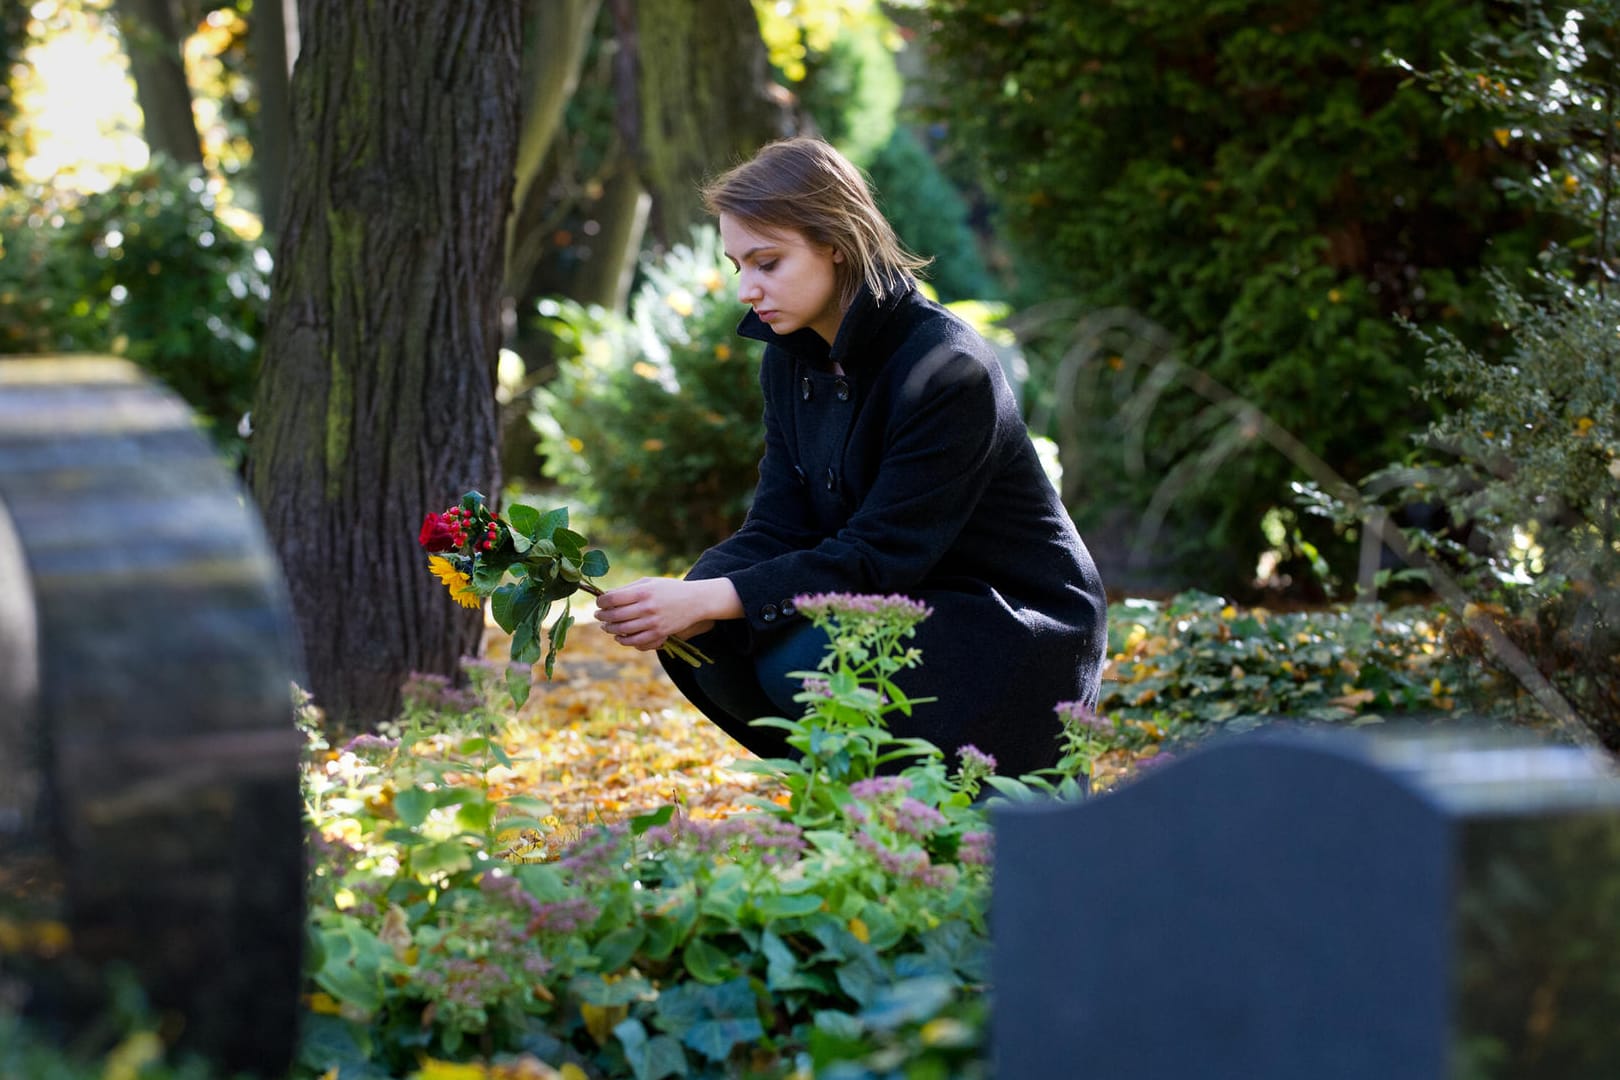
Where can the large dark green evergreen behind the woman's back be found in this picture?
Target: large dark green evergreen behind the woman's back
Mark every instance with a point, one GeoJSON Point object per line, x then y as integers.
{"type": "Point", "coordinates": [1253, 179]}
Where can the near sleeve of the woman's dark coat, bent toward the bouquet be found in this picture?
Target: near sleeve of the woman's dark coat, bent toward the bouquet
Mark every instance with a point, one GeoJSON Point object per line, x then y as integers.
{"type": "Point", "coordinates": [939, 457]}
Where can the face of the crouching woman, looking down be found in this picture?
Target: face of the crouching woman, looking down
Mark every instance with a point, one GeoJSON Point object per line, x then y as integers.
{"type": "Point", "coordinates": [788, 281]}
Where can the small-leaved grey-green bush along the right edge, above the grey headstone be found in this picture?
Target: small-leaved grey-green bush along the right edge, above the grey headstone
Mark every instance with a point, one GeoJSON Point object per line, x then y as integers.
{"type": "Point", "coordinates": [1525, 462]}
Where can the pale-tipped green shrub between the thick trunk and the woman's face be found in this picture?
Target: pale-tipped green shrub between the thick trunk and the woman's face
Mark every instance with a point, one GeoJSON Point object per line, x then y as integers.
{"type": "Point", "coordinates": [654, 420]}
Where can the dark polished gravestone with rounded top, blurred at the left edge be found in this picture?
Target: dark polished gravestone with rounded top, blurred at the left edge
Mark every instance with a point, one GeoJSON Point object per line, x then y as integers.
{"type": "Point", "coordinates": [150, 807]}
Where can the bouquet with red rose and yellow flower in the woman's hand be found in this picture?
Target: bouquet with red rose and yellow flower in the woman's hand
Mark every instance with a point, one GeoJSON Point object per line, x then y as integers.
{"type": "Point", "coordinates": [522, 564]}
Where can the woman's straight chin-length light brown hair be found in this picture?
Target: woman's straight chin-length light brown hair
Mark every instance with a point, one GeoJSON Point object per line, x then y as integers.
{"type": "Point", "coordinates": [806, 185]}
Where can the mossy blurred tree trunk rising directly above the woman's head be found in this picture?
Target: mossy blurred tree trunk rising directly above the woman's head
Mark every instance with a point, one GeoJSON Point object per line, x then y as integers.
{"type": "Point", "coordinates": [706, 100]}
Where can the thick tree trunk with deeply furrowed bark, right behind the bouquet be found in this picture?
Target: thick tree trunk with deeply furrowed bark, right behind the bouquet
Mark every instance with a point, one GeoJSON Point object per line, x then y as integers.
{"type": "Point", "coordinates": [377, 399]}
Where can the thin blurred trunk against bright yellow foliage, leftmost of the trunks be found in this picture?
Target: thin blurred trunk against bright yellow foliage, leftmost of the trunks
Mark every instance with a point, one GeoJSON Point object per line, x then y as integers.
{"type": "Point", "coordinates": [151, 36]}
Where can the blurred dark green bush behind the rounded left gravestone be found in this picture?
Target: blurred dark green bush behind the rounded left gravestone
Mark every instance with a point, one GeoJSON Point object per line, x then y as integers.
{"type": "Point", "coordinates": [145, 271]}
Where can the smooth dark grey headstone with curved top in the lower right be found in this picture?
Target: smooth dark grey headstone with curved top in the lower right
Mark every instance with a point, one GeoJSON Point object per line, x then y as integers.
{"type": "Point", "coordinates": [1287, 908]}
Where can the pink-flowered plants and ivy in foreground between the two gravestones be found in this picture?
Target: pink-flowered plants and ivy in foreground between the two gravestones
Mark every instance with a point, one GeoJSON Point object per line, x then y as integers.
{"type": "Point", "coordinates": [837, 929]}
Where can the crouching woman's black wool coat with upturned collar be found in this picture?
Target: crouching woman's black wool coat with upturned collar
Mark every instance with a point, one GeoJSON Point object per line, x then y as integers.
{"type": "Point", "coordinates": [913, 474]}
